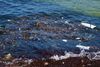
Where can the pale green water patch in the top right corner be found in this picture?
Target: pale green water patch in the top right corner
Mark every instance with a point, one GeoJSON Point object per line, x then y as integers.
{"type": "Point", "coordinates": [90, 7]}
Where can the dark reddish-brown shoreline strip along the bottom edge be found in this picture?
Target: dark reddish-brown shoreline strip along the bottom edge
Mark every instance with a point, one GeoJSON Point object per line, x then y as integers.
{"type": "Point", "coordinates": [70, 62]}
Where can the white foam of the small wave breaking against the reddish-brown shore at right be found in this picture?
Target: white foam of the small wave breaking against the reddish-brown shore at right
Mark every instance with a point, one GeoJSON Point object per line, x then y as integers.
{"type": "Point", "coordinates": [83, 53]}
